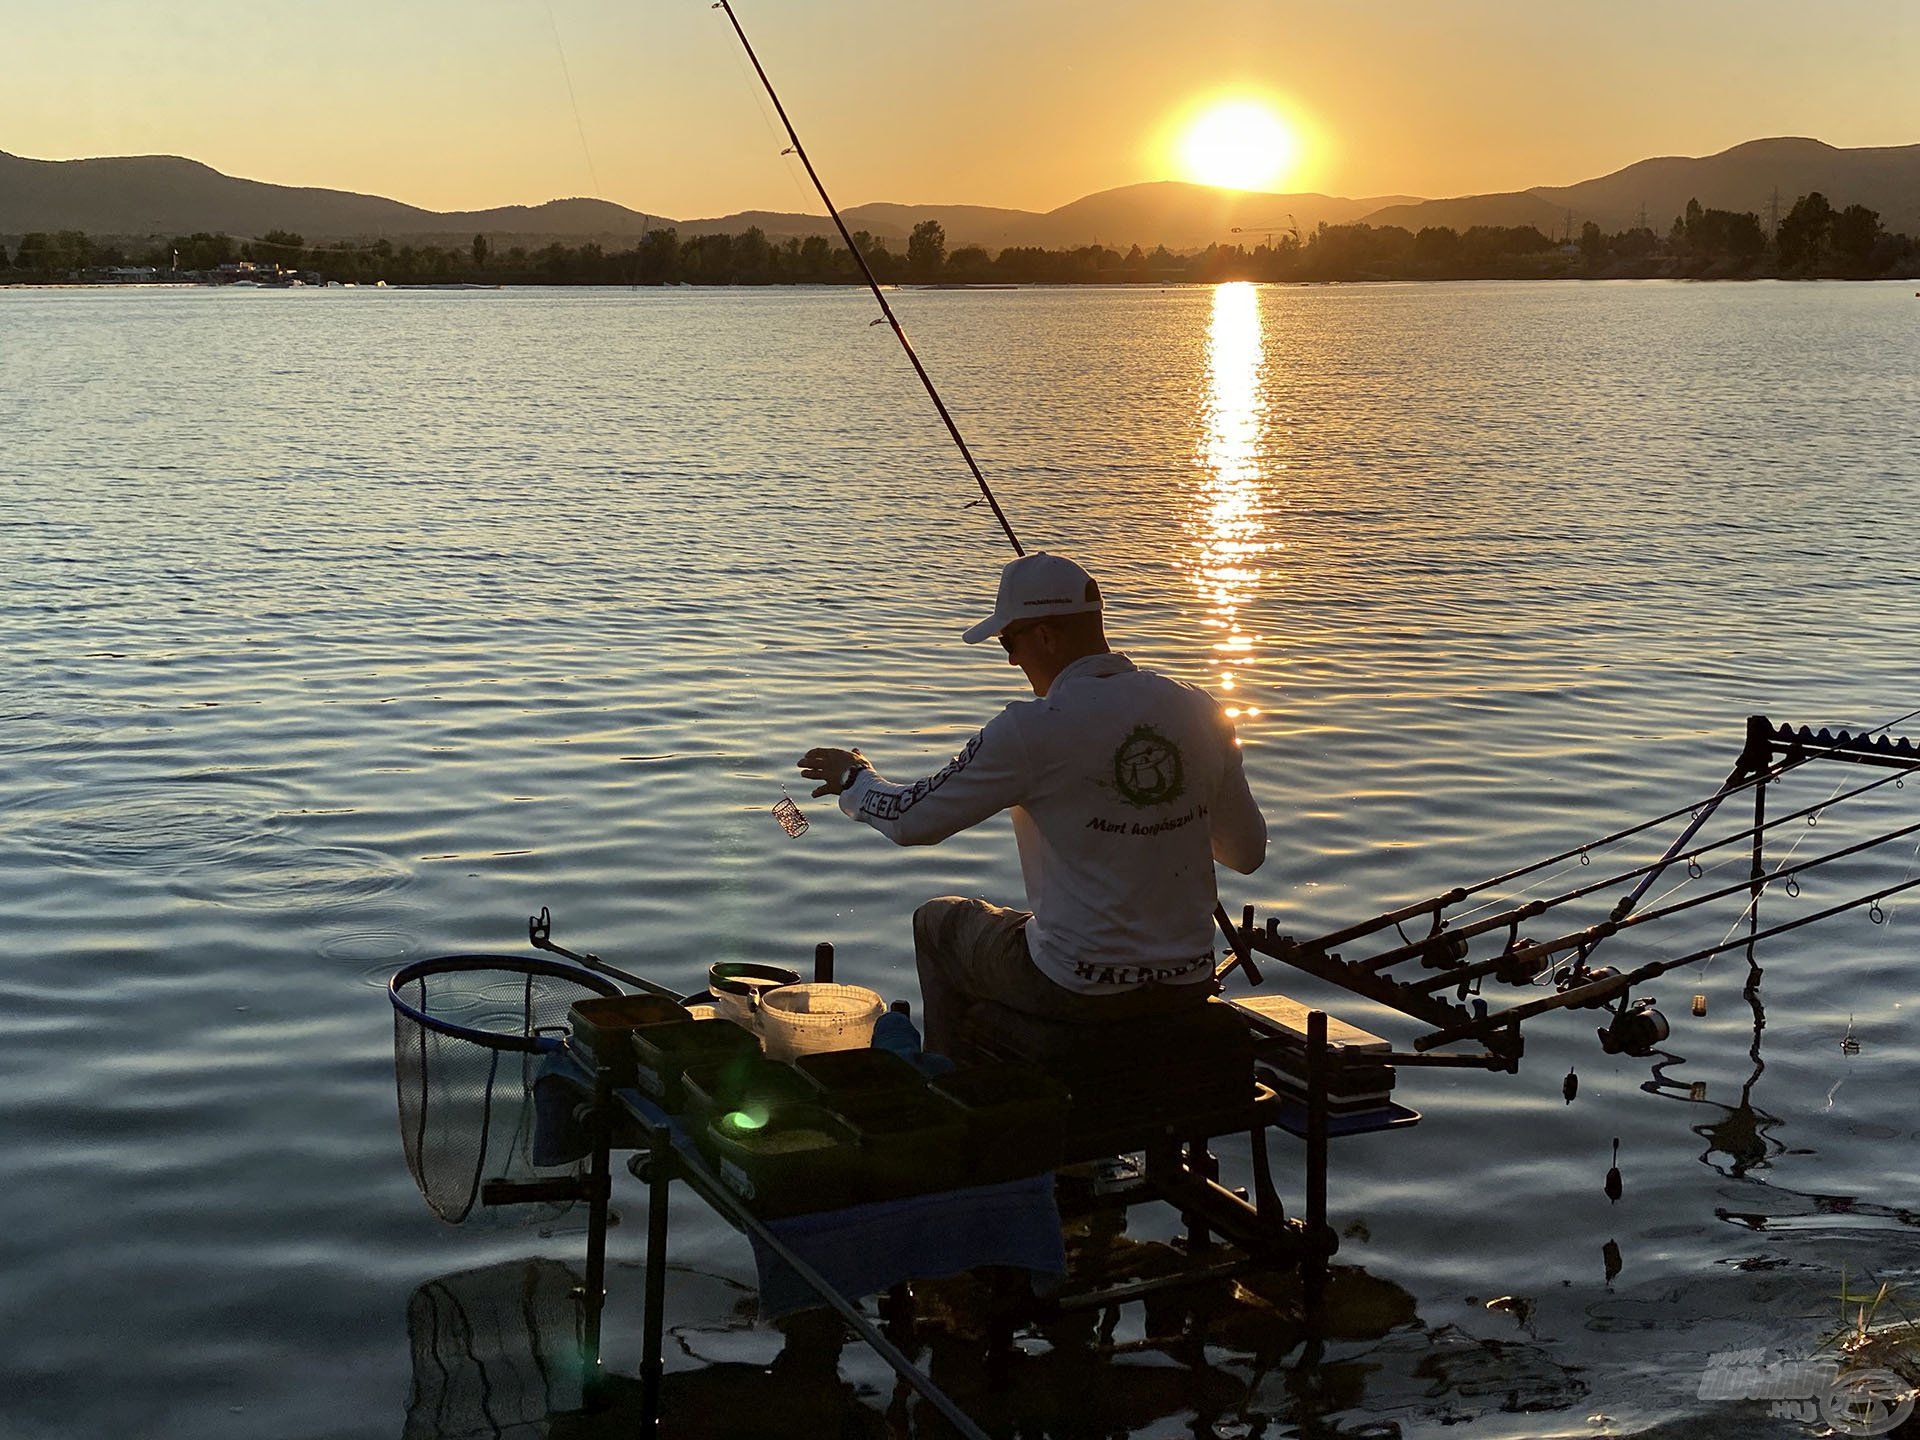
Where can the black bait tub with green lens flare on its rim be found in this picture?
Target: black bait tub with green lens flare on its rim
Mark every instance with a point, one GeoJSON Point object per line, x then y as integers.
{"type": "Point", "coordinates": [802, 1161]}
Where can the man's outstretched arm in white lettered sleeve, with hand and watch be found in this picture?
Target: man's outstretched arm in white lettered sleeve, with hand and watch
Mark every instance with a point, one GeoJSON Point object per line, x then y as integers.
{"type": "Point", "coordinates": [984, 779]}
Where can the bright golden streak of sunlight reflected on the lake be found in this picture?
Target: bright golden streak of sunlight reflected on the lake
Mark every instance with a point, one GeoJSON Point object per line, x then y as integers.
{"type": "Point", "coordinates": [1228, 523]}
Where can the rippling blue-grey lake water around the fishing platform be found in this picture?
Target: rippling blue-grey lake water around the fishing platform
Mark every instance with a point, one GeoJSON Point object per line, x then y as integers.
{"type": "Point", "coordinates": [352, 627]}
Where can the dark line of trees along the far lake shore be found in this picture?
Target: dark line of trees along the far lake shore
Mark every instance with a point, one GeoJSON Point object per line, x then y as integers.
{"type": "Point", "coordinates": [1813, 239]}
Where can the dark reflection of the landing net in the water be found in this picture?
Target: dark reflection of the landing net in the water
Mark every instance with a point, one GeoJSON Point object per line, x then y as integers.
{"type": "Point", "coordinates": [496, 1353]}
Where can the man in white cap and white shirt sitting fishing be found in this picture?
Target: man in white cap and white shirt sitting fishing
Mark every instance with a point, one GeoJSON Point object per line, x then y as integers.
{"type": "Point", "coordinates": [1124, 788]}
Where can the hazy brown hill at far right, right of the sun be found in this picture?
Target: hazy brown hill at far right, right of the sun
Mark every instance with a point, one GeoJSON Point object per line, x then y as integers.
{"type": "Point", "coordinates": [1744, 178]}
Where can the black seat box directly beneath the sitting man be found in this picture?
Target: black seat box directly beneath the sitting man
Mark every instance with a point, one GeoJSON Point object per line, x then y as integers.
{"type": "Point", "coordinates": [1128, 1078]}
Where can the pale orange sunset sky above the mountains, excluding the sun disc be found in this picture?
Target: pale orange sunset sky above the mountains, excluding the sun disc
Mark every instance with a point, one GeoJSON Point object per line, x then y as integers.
{"type": "Point", "coordinates": [1005, 105]}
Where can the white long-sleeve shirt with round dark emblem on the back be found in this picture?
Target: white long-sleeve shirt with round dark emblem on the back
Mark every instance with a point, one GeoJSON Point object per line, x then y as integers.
{"type": "Point", "coordinates": [1126, 788]}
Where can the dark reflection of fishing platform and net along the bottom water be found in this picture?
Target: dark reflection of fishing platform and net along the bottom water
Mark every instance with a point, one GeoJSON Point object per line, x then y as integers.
{"type": "Point", "coordinates": [496, 1353]}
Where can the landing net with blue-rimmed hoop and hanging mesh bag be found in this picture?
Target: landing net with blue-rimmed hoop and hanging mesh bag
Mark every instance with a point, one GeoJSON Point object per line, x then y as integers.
{"type": "Point", "coordinates": [468, 1093]}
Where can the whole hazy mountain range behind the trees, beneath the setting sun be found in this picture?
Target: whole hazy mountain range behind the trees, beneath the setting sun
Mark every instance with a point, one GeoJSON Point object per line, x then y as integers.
{"type": "Point", "coordinates": [145, 197]}
